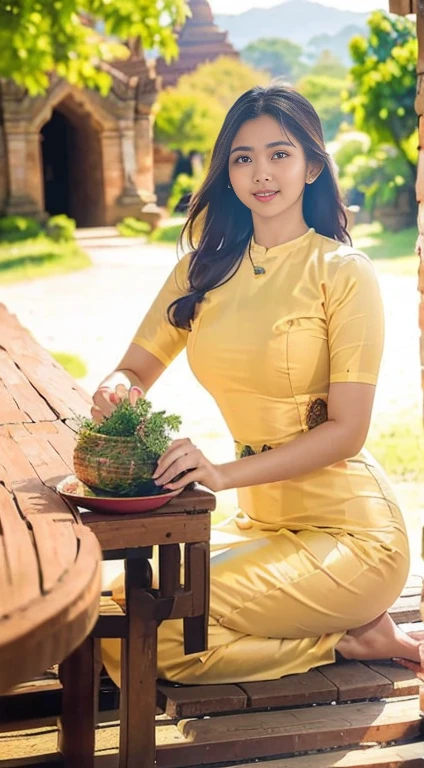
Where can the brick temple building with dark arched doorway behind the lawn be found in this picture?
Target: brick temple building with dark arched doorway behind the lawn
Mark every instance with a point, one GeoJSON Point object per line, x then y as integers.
{"type": "Point", "coordinates": [73, 151]}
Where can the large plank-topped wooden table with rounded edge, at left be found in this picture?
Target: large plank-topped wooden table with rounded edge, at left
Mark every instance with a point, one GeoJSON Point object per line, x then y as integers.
{"type": "Point", "coordinates": [49, 562]}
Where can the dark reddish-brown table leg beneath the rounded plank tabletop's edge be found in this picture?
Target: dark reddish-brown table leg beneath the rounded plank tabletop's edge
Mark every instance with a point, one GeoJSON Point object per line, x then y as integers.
{"type": "Point", "coordinates": [79, 675]}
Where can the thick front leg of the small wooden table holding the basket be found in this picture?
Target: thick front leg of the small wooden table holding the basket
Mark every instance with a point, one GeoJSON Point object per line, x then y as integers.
{"type": "Point", "coordinates": [138, 671]}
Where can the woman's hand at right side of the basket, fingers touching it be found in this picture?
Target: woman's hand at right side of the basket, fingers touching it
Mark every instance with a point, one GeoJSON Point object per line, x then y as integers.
{"type": "Point", "coordinates": [183, 456]}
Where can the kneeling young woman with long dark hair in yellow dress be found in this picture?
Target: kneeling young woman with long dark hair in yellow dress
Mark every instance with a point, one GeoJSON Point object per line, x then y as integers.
{"type": "Point", "coordinates": [283, 324]}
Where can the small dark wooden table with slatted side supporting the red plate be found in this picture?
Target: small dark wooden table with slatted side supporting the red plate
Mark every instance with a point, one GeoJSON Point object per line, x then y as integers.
{"type": "Point", "coordinates": [185, 520]}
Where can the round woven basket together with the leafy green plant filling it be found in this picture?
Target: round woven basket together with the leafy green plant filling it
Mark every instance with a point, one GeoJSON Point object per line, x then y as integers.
{"type": "Point", "coordinates": [119, 454]}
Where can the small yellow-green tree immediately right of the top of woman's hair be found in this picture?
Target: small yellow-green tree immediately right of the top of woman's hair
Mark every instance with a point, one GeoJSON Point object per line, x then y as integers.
{"type": "Point", "coordinates": [324, 93]}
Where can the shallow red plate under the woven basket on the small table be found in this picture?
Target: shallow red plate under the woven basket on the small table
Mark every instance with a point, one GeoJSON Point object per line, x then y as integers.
{"type": "Point", "coordinates": [79, 494]}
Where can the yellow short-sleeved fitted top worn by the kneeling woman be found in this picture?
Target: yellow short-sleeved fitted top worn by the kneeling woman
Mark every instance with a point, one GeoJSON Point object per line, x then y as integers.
{"type": "Point", "coordinates": [267, 347]}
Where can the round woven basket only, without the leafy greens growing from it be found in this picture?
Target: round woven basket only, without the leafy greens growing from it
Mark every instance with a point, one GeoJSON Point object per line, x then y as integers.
{"type": "Point", "coordinates": [114, 464]}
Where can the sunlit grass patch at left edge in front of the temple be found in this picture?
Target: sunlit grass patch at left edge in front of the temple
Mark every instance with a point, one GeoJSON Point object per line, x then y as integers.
{"type": "Point", "coordinates": [39, 257]}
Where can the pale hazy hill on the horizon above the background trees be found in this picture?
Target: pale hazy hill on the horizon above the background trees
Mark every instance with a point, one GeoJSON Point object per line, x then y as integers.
{"type": "Point", "coordinates": [296, 20]}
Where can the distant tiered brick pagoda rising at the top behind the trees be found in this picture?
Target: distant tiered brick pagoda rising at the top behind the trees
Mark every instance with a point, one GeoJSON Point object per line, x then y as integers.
{"type": "Point", "coordinates": [199, 41]}
